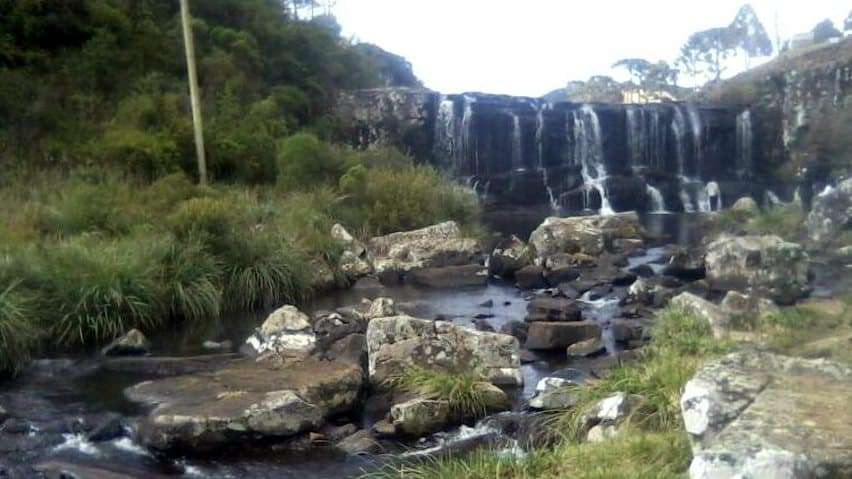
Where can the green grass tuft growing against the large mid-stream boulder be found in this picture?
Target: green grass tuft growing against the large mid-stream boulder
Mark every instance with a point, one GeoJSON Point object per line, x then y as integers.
{"type": "Point", "coordinates": [462, 390]}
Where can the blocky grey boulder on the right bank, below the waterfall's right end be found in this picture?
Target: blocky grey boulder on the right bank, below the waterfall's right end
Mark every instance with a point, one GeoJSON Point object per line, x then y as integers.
{"type": "Point", "coordinates": [765, 265]}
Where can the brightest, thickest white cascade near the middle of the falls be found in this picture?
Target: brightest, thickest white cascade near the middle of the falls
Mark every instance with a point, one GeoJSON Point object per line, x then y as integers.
{"type": "Point", "coordinates": [588, 148]}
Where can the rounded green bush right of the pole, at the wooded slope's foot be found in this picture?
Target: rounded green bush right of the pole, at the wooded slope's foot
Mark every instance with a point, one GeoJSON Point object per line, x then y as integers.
{"type": "Point", "coordinates": [305, 161]}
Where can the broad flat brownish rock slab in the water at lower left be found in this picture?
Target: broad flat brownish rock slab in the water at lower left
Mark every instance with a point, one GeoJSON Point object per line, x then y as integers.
{"type": "Point", "coordinates": [244, 400]}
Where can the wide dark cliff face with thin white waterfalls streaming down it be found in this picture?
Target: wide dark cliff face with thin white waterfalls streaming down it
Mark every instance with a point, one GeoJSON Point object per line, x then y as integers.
{"type": "Point", "coordinates": [599, 157]}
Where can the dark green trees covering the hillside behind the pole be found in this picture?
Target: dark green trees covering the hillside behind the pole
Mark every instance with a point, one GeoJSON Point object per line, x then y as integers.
{"type": "Point", "coordinates": [103, 81]}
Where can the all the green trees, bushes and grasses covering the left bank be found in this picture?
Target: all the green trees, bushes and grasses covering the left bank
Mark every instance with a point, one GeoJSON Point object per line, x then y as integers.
{"type": "Point", "coordinates": [102, 227]}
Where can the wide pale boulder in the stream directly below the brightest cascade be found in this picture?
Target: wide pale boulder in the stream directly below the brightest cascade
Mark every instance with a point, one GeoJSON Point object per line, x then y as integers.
{"type": "Point", "coordinates": [588, 235]}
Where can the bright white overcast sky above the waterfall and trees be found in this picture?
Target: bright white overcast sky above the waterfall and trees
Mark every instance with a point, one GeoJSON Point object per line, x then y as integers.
{"type": "Point", "coordinates": [531, 47]}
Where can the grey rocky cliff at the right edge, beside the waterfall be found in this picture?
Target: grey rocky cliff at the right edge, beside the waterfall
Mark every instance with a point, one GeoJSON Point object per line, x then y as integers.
{"type": "Point", "coordinates": [802, 112]}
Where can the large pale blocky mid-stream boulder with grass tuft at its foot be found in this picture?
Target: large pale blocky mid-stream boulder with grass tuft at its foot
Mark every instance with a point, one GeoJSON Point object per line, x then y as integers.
{"type": "Point", "coordinates": [396, 343]}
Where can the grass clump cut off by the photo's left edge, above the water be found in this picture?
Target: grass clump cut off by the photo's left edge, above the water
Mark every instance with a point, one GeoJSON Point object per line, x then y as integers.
{"type": "Point", "coordinates": [19, 331]}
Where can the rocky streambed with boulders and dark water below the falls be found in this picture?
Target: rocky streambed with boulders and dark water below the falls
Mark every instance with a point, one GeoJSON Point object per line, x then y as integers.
{"type": "Point", "coordinates": [303, 392]}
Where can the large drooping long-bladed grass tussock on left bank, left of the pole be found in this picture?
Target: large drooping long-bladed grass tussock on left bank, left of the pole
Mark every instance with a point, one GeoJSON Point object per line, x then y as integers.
{"type": "Point", "coordinates": [97, 290]}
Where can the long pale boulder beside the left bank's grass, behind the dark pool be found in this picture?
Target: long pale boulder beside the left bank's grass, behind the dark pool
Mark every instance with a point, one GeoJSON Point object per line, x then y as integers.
{"type": "Point", "coordinates": [431, 247]}
